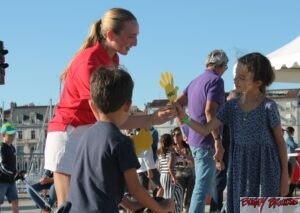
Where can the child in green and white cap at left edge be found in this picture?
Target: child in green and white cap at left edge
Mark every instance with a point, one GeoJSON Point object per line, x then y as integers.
{"type": "Point", "coordinates": [8, 169]}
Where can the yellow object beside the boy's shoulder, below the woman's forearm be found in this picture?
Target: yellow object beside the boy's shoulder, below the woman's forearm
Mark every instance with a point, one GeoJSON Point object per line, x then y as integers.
{"type": "Point", "coordinates": [142, 141]}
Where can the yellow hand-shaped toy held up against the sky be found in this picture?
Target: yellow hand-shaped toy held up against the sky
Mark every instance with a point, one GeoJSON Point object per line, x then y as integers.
{"type": "Point", "coordinates": [168, 84]}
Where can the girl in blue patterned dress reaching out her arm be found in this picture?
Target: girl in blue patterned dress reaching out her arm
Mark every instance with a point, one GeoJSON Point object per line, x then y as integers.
{"type": "Point", "coordinates": [257, 157]}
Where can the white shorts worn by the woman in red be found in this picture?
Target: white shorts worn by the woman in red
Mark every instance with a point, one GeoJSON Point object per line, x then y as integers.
{"type": "Point", "coordinates": [60, 149]}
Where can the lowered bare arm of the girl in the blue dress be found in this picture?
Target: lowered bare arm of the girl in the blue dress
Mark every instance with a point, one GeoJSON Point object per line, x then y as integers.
{"type": "Point", "coordinates": [284, 185]}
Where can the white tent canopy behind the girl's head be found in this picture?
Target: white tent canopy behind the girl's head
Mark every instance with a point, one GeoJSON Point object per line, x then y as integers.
{"type": "Point", "coordinates": [286, 62]}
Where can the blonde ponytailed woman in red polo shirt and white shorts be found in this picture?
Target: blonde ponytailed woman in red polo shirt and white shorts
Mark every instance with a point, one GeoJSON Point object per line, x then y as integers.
{"type": "Point", "coordinates": [116, 32]}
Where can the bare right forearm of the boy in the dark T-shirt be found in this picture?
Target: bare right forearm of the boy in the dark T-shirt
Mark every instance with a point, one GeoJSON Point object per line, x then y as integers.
{"type": "Point", "coordinates": [140, 194]}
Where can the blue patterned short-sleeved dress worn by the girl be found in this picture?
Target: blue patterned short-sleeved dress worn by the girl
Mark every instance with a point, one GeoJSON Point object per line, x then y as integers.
{"type": "Point", "coordinates": [254, 165]}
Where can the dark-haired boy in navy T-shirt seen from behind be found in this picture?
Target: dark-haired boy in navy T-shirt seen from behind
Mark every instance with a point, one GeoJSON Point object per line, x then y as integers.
{"type": "Point", "coordinates": [105, 158]}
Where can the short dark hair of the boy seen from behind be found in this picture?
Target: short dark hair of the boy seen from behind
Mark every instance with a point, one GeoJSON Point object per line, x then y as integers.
{"type": "Point", "coordinates": [111, 88]}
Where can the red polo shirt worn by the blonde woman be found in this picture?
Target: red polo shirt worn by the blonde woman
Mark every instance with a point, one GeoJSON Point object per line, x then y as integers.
{"type": "Point", "coordinates": [73, 108]}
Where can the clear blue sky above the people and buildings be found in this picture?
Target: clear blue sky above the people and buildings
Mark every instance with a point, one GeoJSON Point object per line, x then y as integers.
{"type": "Point", "coordinates": [175, 36]}
